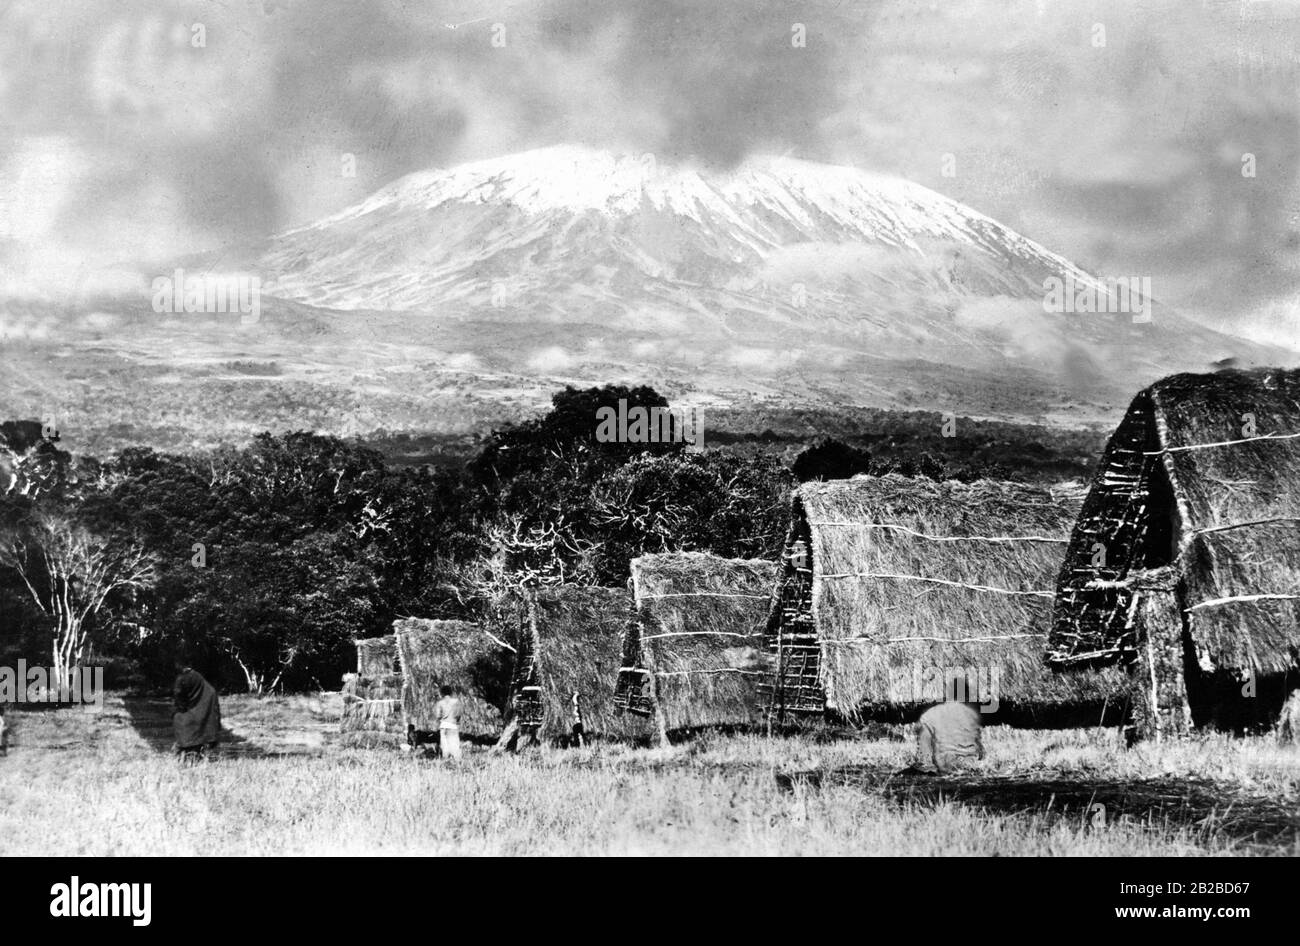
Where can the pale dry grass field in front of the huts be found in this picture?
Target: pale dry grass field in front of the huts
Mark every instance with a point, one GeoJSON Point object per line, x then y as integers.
{"type": "Point", "coordinates": [85, 783]}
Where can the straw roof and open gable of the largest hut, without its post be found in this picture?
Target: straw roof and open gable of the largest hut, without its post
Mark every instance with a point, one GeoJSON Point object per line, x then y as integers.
{"type": "Point", "coordinates": [1202, 475]}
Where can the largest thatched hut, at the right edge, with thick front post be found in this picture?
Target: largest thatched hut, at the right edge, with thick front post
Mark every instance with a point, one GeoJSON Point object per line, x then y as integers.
{"type": "Point", "coordinates": [1185, 563]}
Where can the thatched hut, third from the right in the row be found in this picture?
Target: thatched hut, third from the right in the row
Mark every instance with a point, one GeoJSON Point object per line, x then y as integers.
{"type": "Point", "coordinates": [695, 656]}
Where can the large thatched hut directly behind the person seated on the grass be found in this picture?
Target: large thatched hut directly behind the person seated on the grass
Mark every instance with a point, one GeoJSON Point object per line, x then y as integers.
{"type": "Point", "coordinates": [896, 592]}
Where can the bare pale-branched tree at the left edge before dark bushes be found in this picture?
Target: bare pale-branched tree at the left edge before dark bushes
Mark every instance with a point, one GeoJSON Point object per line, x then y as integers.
{"type": "Point", "coordinates": [73, 576]}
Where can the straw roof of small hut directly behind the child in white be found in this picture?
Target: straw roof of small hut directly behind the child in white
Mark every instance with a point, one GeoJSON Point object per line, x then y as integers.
{"type": "Point", "coordinates": [457, 654]}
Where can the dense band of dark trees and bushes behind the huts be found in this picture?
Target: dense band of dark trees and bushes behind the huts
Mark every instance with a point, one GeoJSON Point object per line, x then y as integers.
{"type": "Point", "coordinates": [268, 561]}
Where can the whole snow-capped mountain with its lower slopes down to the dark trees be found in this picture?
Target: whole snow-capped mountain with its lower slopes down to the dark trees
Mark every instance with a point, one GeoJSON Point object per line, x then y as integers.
{"type": "Point", "coordinates": [452, 300]}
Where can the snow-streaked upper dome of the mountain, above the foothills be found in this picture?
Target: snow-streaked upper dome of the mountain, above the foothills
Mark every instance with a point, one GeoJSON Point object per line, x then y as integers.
{"type": "Point", "coordinates": [541, 227]}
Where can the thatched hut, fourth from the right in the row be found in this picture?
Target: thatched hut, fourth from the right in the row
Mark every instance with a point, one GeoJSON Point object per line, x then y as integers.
{"type": "Point", "coordinates": [567, 641]}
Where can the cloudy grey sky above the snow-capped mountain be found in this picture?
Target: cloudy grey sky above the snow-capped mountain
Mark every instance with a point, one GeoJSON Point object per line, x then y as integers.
{"type": "Point", "coordinates": [1137, 138]}
